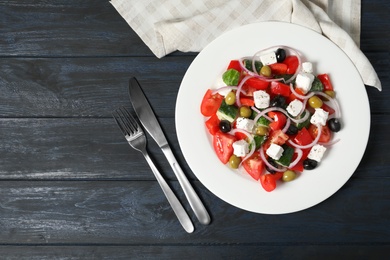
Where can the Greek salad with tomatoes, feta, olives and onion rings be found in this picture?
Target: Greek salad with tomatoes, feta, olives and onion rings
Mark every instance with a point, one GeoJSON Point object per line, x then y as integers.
{"type": "Point", "coordinates": [272, 115]}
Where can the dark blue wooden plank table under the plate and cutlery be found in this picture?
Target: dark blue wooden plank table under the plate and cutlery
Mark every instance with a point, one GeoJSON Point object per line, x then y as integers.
{"type": "Point", "coordinates": [71, 187]}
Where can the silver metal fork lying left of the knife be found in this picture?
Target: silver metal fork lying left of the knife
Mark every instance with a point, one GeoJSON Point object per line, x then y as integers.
{"type": "Point", "coordinates": [137, 139]}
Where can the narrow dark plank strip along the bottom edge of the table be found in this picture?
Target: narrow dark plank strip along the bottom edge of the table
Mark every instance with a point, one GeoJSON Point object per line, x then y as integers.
{"type": "Point", "coordinates": [231, 251]}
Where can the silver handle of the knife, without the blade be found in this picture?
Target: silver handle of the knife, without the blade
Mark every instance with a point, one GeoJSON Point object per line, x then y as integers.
{"type": "Point", "coordinates": [193, 198]}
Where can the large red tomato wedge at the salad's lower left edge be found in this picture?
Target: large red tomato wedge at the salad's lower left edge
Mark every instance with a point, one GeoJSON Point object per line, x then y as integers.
{"type": "Point", "coordinates": [223, 146]}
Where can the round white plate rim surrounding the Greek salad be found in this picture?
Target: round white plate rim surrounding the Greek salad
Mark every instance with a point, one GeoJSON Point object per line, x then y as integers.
{"type": "Point", "coordinates": [238, 189]}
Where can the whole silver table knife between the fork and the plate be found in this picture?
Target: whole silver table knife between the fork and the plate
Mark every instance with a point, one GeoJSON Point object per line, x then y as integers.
{"type": "Point", "coordinates": [148, 119]}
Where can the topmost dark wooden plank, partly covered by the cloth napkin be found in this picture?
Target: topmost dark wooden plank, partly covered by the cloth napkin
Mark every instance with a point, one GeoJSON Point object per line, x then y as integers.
{"type": "Point", "coordinates": [90, 28]}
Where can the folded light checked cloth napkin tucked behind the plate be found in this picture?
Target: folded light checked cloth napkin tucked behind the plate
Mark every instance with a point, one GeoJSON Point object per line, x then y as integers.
{"type": "Point", "coordinates": [169, 25]}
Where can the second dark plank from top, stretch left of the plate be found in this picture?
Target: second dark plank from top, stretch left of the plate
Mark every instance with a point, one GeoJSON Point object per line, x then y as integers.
{"type": "Point", "coordinates": [86, 87]}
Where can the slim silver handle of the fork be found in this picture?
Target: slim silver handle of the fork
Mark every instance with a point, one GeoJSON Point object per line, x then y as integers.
{"type": "Point", "coordinates": [180, 212]}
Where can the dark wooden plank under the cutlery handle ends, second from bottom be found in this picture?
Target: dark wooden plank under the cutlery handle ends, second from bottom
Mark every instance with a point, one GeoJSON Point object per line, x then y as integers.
{"type": "Point", "coordinates": [137, 213]}
